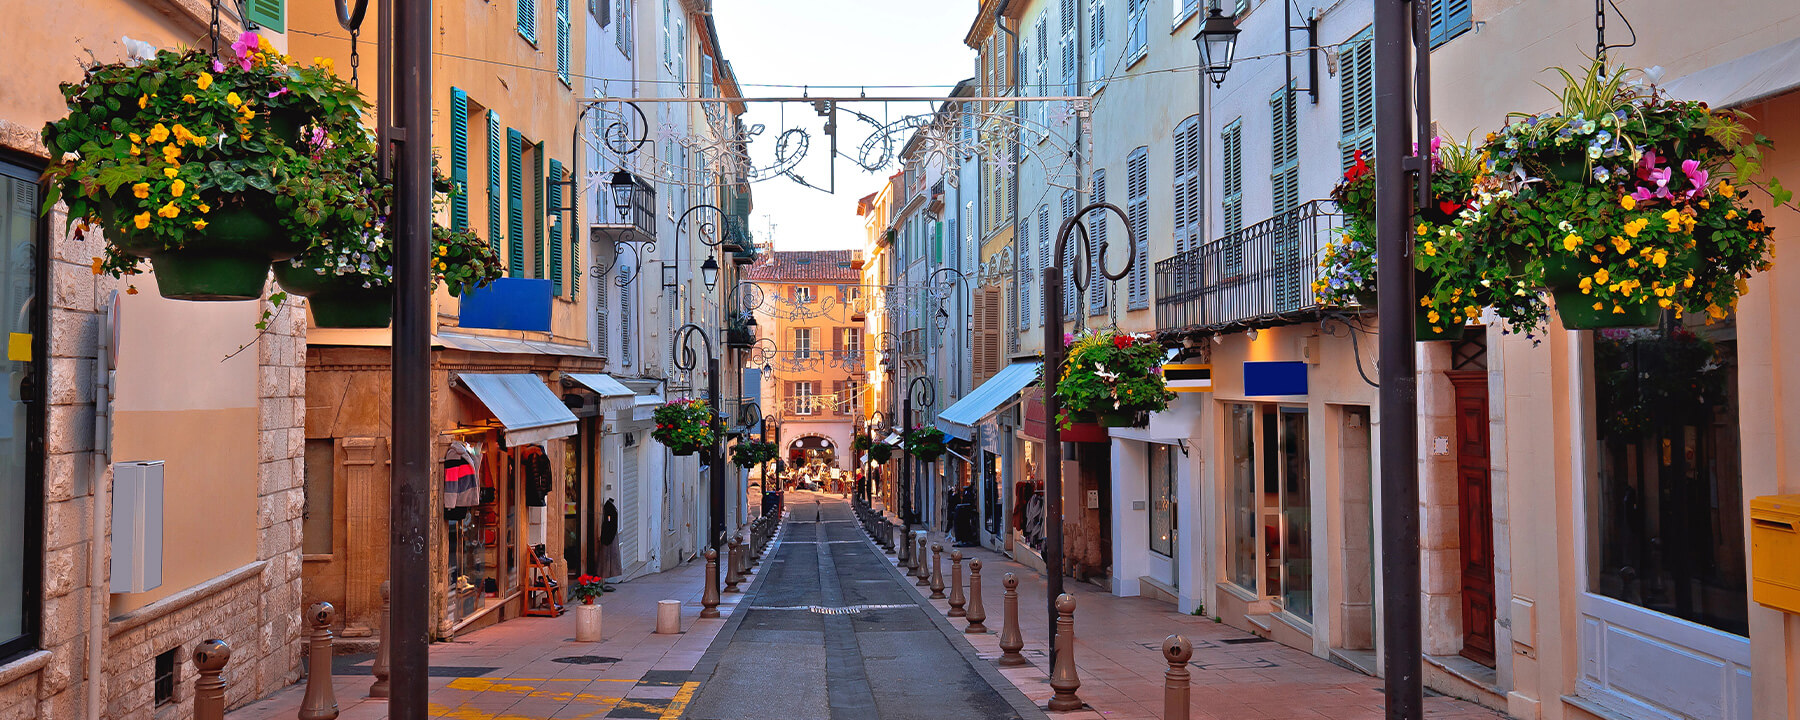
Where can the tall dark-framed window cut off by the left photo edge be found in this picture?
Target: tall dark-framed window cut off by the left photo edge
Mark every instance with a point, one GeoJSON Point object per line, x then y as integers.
{"type": "Point", "coordinates": [21, 449]}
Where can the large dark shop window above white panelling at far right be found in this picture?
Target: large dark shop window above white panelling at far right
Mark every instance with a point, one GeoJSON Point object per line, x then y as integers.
{"type": "Point", "coordinates": [1666, 526]}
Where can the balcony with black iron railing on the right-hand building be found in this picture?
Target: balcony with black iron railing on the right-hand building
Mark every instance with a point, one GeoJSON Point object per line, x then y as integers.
{"type": "Point", "coordinates": [1257, 276]}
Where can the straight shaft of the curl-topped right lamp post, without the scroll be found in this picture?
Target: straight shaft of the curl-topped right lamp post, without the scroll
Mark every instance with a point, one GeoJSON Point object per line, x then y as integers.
{"type": "Point", "coordinates": [1052, 453]}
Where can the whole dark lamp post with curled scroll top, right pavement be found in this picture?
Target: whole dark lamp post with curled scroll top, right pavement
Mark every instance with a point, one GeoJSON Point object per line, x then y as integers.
{"type": "Point", "coordinates": [1054, 352]}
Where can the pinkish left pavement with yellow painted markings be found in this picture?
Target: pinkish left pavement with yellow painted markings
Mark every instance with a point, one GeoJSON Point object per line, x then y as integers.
{"type": "Point", "coordinates": [532, 669]}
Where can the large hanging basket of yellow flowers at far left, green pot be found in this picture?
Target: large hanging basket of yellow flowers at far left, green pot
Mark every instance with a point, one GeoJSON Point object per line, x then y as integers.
{"type": "Point", "coordinates": [202, 166]}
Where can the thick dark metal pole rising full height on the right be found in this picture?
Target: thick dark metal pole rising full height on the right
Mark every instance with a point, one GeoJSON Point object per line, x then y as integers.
{"type": "Point", "coordinates": [1399, 471]}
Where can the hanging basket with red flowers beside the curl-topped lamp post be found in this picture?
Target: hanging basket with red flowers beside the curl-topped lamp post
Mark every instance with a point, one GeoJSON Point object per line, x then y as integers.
{"type": "Point", "coordinates": [1113, 377]}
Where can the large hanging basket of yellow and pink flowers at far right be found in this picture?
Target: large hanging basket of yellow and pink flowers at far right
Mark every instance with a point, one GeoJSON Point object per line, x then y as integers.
{"type": "Point", "coordinates": [1621, 202]}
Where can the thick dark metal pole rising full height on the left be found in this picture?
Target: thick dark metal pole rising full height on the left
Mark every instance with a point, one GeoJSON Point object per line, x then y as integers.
{"type": "Point", "coordinates": [409, 508]}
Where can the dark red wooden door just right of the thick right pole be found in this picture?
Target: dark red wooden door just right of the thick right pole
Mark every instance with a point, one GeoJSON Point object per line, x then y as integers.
{"type": "Point", "coordinates": [1475, 516]}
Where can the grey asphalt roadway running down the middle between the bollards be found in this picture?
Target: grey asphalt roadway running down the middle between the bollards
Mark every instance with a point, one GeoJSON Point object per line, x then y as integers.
{"type": "Point", "coordinates": [832, 631]}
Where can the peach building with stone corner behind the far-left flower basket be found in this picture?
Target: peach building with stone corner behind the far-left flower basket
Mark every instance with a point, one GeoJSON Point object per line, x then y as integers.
{"type": "Point", "coordinates": [199, 399]}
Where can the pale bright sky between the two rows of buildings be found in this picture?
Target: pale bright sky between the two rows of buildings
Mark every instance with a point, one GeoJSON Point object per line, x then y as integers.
{"type": "Point", "coordinates": [836, 42]}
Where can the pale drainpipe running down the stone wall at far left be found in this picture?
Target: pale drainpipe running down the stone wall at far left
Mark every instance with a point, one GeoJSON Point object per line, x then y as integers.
{"type": "Point", "coordinates": [98, 543]}
